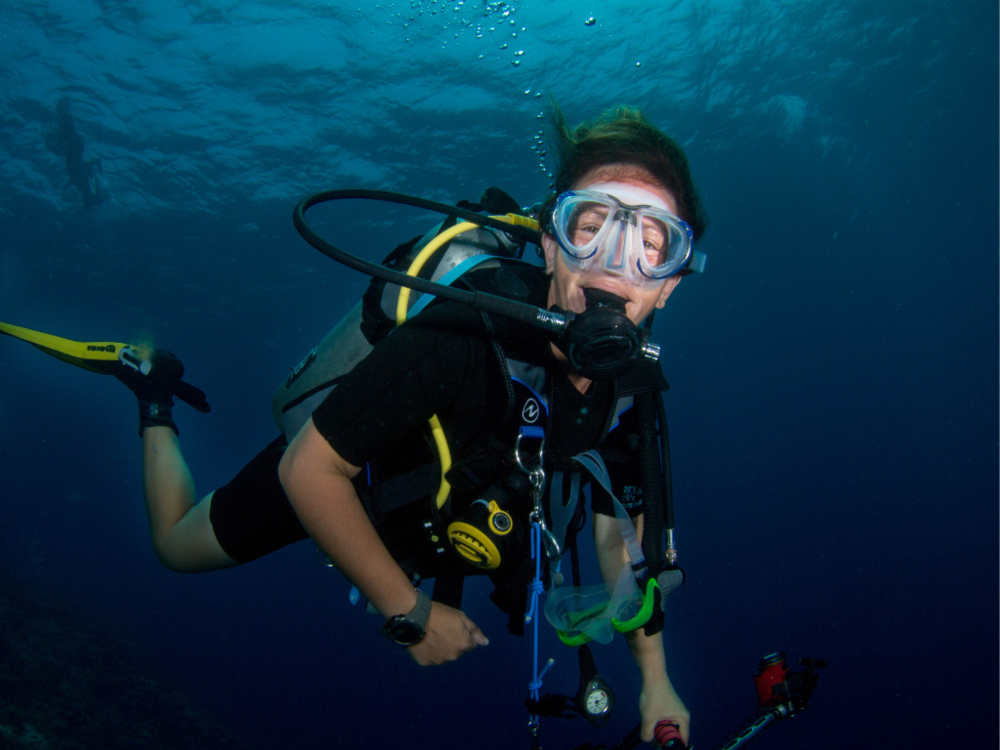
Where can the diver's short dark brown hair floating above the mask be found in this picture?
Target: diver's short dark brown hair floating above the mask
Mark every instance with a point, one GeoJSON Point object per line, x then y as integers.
{"type": "Point", "coordinates": [623, 136]}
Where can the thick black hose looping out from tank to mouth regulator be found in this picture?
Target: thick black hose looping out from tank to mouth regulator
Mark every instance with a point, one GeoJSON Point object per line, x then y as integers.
{"type": "Point", "coordinates": [550, 321]}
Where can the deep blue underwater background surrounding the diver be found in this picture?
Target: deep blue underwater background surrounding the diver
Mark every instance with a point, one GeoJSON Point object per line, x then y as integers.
{"type": "Point", "coordinates": [833, 408]}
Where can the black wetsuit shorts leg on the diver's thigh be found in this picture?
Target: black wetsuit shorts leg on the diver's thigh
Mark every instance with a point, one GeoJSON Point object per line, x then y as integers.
{"type": "Point", "coordinates": [251, 516]}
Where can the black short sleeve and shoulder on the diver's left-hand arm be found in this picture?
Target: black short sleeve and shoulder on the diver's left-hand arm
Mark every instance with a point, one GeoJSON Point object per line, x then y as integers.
{"type": "Point", "coordinates": [440, 362]}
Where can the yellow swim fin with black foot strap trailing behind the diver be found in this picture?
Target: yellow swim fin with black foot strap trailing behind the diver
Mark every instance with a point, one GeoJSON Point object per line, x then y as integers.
{"type": "Point", "coordinates": [107, 358]}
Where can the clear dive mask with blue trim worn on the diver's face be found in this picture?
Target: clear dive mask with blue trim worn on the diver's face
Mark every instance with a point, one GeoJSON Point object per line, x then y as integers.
{"type": "Point", "coordinates": [623, 230]}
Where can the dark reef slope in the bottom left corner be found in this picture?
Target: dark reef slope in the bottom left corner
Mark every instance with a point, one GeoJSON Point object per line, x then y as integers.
{"type": "Point", "coordinates": [70, 682]}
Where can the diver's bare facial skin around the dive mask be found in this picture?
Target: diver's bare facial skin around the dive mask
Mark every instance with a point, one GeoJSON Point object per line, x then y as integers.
{"type": "Point", "coordinates": [566, 289]}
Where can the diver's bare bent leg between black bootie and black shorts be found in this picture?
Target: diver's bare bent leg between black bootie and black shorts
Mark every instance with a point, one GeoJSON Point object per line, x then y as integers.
{"type": "Point", "coordinates": [181, 530]}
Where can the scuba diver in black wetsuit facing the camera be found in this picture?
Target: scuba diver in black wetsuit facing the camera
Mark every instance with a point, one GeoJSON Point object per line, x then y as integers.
{"type": "Point", "coordinates": [457, 443]}
